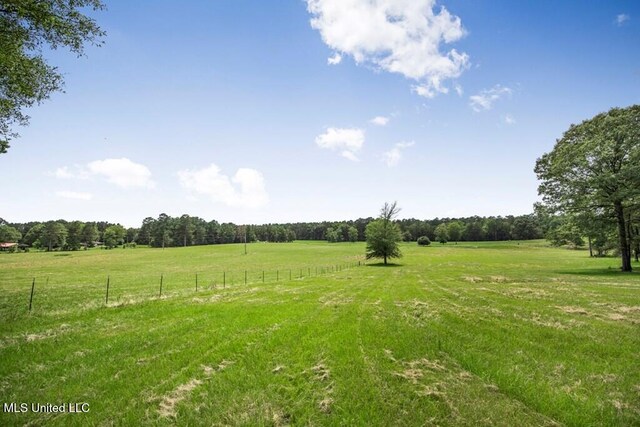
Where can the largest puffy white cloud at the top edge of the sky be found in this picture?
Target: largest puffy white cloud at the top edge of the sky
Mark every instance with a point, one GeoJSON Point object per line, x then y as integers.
{"type": "Point", "coordinates": [398, 36]}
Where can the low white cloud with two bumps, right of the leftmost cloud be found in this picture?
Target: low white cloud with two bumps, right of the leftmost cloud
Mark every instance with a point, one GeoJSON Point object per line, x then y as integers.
{"type": "Point", "coordinates": [245, 189]}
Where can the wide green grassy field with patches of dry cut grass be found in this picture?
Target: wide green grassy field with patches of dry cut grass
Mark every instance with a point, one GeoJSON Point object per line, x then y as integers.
{"type": "Point", "coordinates": [468, 334]}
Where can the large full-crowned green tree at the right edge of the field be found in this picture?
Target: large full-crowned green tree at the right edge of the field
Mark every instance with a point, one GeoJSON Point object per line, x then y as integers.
{"type": "Point", "coordinates": [595, 168]}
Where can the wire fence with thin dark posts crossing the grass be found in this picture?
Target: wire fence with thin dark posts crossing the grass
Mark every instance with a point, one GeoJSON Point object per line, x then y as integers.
{"type": "Point", "coordinates": [44, 294]}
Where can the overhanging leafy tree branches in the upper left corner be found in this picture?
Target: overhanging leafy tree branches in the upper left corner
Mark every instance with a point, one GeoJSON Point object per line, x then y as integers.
{"type": "Point", "coordinates": [26, 26]}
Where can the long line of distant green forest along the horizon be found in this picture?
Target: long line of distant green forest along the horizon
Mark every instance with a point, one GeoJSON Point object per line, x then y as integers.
{"type": "Point", "coordinates": [167, 231]}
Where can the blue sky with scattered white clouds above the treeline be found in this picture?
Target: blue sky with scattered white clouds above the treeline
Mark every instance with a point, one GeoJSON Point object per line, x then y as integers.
{"type": "Point", "coordinates": [289, 111]}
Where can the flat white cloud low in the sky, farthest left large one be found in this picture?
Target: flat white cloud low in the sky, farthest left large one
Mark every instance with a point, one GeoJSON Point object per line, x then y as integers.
{"type": "Point", "coordinates": [122, 172]}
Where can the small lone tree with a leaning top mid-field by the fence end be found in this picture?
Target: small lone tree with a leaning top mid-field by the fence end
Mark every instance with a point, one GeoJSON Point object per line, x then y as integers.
{"type": "Point", "coordinates": [383, 234]}
